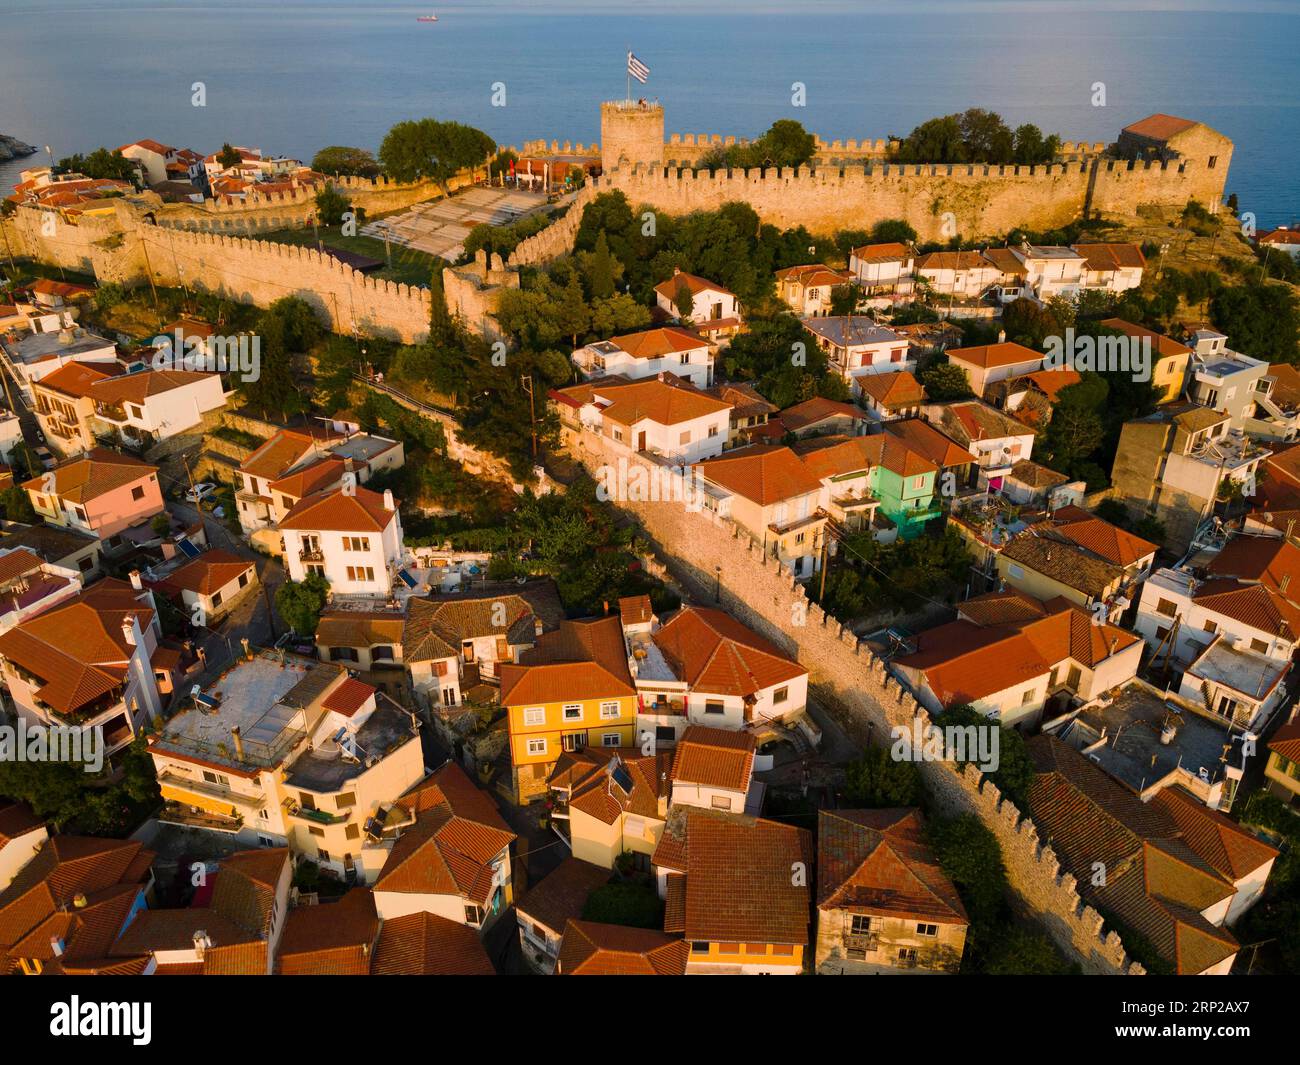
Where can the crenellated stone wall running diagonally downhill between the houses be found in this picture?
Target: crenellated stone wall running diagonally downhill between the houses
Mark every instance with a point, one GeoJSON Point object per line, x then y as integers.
{"type": "Point", "coordinates": [705, 552]}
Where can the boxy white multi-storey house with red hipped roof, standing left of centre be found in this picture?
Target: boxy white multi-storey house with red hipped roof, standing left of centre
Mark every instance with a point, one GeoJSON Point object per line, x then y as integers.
{"type": "Point", "coordinates": [350, 538]}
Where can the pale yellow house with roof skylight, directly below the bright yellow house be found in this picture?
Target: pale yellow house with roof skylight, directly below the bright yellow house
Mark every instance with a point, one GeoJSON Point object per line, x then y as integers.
{"type": "Point", "coordinates": [612, 802]}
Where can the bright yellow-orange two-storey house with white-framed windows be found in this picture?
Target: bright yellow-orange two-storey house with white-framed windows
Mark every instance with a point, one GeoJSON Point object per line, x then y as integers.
{"type": "Point", "coordinates": [571, 691]}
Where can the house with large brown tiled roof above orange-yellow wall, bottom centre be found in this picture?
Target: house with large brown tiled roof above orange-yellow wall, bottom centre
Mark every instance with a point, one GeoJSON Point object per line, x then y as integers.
{"type": "Point", "coordinates": [739, 890]}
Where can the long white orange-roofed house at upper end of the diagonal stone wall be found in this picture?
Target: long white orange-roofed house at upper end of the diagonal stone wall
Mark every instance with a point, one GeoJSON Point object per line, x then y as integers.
{"type": "Point", "coordinates": [660, 415]}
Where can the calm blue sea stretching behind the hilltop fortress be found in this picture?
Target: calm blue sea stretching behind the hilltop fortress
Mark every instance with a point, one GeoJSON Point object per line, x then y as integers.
{"type": "Point", "coordinates": [293, 77]}
